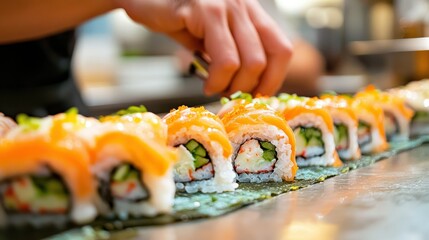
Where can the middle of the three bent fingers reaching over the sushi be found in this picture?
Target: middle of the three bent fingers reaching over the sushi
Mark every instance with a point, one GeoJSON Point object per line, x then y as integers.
{"type": "Point", "coordinates": [252, 55]}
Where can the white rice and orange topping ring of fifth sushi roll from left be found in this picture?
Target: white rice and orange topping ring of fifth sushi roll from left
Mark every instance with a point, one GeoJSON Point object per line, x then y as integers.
{"type": "Point", "coordinates": [313, 120]}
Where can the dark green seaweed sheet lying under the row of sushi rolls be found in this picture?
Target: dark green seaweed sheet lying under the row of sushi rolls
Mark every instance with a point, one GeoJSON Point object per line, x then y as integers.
{"type": "Point", "coordinates": [204, 205]}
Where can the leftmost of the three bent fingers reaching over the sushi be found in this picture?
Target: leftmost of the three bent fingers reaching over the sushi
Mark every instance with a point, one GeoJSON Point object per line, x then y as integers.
{"type": "Point", "coordinates": [219, 44]}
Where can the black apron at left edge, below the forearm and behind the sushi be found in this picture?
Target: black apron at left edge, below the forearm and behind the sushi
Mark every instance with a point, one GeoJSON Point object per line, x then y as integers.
{"type": "Point", "coordinates": [36, 79]}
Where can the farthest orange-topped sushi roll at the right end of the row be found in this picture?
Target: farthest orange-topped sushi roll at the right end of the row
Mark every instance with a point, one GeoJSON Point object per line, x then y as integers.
{"type": "Point", "coordinates": [397, 115]}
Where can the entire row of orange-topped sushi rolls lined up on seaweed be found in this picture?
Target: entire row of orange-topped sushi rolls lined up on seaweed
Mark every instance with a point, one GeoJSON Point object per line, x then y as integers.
{"type": "Point", "coordinates": [69, 167]}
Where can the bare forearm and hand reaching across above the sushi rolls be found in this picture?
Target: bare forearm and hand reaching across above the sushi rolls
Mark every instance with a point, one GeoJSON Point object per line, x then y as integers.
{"type": "Point", "coordinates": [248, 51]}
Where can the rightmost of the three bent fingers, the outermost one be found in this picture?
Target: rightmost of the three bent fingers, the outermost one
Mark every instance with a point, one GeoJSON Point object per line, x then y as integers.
{"type": "Point", "coordinates": [277, 47]}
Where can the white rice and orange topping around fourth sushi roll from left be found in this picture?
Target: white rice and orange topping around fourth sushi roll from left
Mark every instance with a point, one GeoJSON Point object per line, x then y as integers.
{"type": "Point", "coordinates": [283, 167]}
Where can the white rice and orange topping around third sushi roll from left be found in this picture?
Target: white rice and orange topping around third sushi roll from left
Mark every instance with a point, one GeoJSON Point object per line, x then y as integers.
{"type": "Point", "coordinates": [224, 175]}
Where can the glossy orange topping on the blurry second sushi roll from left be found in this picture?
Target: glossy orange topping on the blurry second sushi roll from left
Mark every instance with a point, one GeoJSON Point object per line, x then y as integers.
{"type": "Point", "coordinates": [143, 137]}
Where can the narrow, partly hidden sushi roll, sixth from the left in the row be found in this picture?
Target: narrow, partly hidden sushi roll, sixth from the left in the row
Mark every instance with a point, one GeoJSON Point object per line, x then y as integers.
{"type": "Point", "coordinates": [345, 126]}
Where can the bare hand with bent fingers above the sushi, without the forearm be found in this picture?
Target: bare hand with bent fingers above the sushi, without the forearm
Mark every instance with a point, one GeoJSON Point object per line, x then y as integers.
{"type": "Point", "coordinates": [248, 51]}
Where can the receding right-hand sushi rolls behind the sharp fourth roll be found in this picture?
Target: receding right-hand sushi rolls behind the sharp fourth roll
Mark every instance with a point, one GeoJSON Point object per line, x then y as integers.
{"type": "Point", "coordinates": [335, 127]}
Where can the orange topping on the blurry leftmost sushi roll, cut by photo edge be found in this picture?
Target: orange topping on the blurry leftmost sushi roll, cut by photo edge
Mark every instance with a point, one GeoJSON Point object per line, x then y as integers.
{"type": "Point", "coordinates": [68, 158]}
